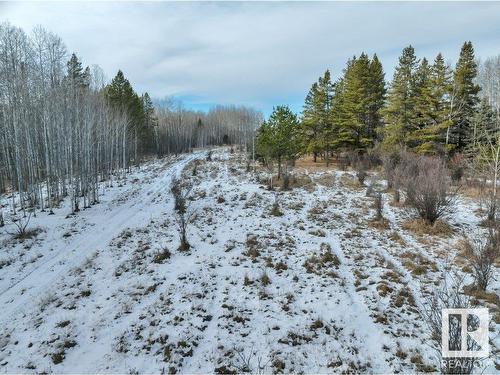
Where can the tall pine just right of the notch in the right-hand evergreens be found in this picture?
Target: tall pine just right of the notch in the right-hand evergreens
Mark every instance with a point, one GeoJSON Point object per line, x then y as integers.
{"type": "Point", "coordinates": [400, 112]}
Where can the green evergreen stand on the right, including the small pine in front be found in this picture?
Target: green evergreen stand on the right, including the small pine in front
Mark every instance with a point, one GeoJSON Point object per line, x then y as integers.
{"type": "Point", "coordinates": [429, 109]}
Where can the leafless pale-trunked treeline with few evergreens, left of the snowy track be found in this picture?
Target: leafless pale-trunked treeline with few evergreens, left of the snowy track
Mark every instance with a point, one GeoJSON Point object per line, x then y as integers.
{"type": "Point", "coordinates": [64, 129]}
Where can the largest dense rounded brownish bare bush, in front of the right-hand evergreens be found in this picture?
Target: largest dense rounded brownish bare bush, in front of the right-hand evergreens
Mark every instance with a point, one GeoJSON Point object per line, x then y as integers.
{"type": "Point", "coordinates": [426, 182]}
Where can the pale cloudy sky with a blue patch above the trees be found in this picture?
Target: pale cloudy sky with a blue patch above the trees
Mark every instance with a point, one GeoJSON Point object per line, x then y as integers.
{"type": "Point", "coordinates": [258, 54]}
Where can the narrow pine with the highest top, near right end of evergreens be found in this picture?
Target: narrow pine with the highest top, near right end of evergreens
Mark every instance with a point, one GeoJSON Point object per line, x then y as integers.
{"type": "Point", "coordinates": [466, 96]}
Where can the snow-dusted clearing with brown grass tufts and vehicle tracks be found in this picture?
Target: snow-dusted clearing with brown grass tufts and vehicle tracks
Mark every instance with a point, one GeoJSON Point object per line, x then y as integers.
{"type": "Point", "coordinates": [317, 287]}
